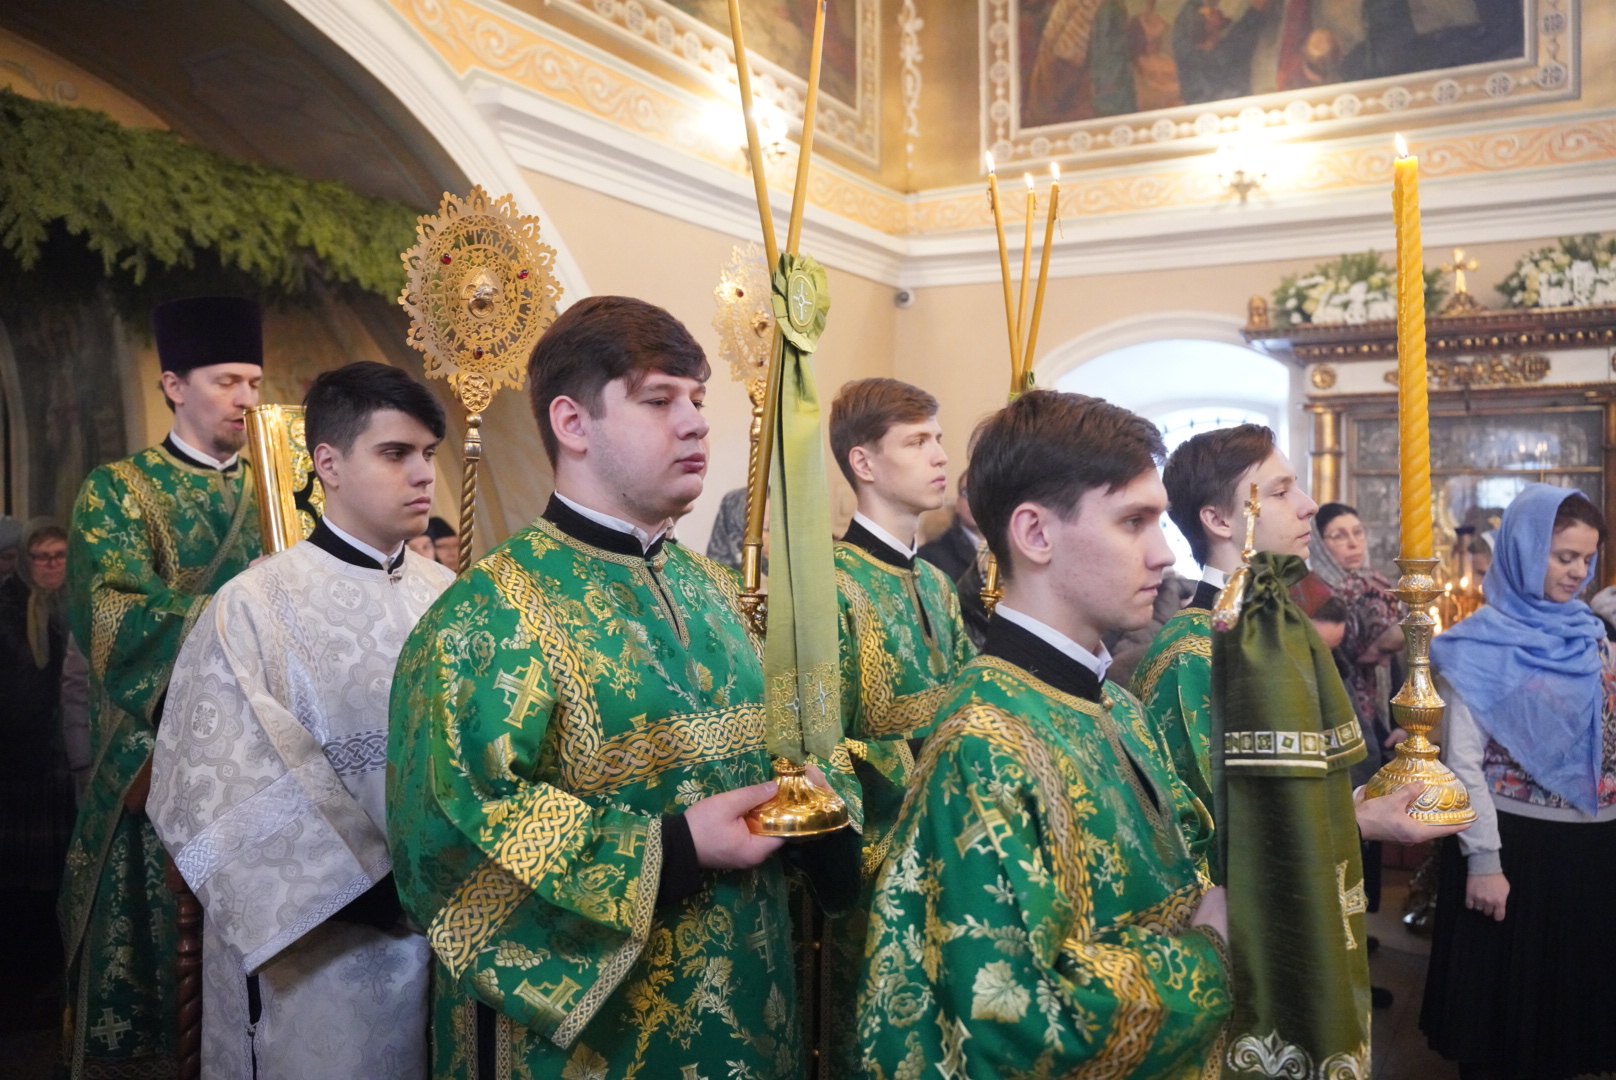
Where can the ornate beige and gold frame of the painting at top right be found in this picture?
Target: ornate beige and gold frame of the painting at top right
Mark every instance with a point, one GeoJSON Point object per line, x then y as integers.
{"type": "Point", "coordinates": [1549, 72]}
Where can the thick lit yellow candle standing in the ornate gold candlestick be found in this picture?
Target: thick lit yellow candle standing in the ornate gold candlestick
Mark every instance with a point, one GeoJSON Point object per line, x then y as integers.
{"type": "Point", "coordinates": [1413, 407]}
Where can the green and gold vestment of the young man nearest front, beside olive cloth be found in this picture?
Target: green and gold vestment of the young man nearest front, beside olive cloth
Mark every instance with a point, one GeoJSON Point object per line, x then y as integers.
{"type": "Point", "coordinates": [1032, 918]}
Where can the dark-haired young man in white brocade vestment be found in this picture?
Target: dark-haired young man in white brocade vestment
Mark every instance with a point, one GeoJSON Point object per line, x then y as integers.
{"type": "Point", "coordinates": [267, 785]}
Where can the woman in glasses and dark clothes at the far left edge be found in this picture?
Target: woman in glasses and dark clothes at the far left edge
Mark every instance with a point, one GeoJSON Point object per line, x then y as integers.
{"type": "Point", "coordinates": [36, 793]}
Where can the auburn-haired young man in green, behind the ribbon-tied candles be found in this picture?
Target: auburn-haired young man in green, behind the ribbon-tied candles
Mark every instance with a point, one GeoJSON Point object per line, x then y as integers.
{"type": "Point", "coordinates": [903, 646]}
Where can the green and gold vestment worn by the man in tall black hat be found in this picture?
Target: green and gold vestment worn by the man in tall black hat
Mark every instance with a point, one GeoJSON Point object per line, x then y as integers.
{"type": "Point", "coordinates": [154, 536]}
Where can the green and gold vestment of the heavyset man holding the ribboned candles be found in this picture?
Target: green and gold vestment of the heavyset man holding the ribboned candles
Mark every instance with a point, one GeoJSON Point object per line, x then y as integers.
{"type": "Point", "coordinates": [552, 707]}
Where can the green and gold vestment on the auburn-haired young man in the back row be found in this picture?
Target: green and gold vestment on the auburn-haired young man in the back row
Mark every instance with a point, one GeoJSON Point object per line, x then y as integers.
{"type": "Point", "coordinates": [903, 646]}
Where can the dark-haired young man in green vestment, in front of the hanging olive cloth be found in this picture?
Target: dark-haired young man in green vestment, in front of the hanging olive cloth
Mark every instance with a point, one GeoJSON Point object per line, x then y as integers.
{"type": "Point", "coordinates": [1040, 911]}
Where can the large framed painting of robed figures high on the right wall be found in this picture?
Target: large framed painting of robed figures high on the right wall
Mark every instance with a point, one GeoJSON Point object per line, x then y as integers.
{"type": "Point", "coordinates": [1082, 78]}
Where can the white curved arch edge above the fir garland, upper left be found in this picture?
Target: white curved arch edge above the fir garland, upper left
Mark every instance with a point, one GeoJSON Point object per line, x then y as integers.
{"type": "Point", "coordinates": [381, 41]}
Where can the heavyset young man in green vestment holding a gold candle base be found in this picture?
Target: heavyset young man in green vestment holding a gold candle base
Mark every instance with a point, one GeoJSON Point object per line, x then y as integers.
{"type": "Point", "coordinates": [578, 740]}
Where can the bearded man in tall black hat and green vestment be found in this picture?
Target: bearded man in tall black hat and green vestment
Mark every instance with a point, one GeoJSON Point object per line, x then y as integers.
{"type": "Point", "coordinates": [154, 536]}
